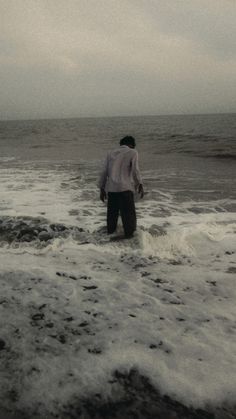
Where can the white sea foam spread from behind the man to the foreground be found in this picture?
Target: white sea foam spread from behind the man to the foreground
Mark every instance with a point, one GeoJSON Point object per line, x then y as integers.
{"type": "Point", "coordinates": [142, 297]}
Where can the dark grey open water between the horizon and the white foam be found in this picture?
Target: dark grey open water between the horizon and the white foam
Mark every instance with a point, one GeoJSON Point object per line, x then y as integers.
{"type": "Point", "coordinates": [194, 153]}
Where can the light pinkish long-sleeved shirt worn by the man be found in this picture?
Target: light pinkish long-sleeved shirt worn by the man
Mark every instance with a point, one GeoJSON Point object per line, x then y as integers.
{"type": "Point", "coordinates": [121, 170]}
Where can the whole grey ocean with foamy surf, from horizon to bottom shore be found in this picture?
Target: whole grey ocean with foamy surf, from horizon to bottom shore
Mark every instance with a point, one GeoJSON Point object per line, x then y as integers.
{"type": "Point", "coordinates": [76, 309]}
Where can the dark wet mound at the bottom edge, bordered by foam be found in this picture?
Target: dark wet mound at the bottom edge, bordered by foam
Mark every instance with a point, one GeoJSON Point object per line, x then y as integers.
{"type": "Point", "coordinates": [134, 397]}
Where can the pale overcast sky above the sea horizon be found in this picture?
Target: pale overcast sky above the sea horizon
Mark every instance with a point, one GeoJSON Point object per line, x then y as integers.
{"type": "Point", "coordinates": [72, 58]}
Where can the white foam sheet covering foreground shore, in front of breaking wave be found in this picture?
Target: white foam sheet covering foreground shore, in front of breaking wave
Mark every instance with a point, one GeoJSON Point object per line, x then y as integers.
{"type": "Point", "coordinates": [194, 363]}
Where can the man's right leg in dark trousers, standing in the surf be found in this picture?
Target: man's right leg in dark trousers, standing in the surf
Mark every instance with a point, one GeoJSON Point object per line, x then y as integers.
{"type": "Point", "coordinates": [128, 213]}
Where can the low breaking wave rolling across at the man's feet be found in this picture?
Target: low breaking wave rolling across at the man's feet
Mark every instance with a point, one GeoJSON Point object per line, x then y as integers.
{"type": "Point", "coordinates": [175, 243]}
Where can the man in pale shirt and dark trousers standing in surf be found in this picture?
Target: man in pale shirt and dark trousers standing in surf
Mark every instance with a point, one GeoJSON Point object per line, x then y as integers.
{"type": "Point", "coordinates": [120, 177]}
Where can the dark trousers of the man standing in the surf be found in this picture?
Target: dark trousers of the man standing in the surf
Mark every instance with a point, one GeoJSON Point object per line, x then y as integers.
{"type": "Point", "coordinates": [121, 203]}
